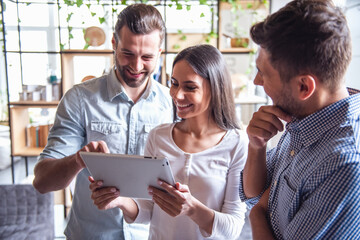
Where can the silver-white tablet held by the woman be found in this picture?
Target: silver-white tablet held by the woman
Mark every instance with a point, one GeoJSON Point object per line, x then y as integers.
{"type": "Point", "coordinates": [131, 174]}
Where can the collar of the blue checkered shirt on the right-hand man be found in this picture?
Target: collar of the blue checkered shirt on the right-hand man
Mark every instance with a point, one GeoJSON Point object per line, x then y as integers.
{"type": "Point", "coordinates": [315, 125]}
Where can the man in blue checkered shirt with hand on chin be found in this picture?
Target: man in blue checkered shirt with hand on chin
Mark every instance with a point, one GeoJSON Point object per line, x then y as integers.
{"type": "Point", "coordinates": [308, 186]}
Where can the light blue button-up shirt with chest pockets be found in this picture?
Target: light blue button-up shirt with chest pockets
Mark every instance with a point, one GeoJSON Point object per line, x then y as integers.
{"type": "Point", "coordinates": [96, 110]}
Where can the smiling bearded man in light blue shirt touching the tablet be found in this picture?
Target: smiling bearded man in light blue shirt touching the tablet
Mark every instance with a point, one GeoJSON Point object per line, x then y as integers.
{"type": "Point", "coordinates": [112, 113]}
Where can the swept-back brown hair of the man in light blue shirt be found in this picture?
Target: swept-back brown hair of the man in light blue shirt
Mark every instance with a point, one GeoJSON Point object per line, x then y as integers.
{"type": "Point", "coordinates": [140, 19]}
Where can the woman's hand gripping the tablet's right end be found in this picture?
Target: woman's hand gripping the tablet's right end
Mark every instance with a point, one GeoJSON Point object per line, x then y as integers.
{"type": "Point", "coordinates": [175, 201]}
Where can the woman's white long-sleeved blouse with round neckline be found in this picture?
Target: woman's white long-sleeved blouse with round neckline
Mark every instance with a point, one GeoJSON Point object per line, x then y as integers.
{"type": "Point", "coordinates": [213, 177]}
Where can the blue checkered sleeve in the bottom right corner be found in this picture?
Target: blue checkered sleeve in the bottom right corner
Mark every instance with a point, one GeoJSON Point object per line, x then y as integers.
{"type": "Point", "coordinates": [332, 209]}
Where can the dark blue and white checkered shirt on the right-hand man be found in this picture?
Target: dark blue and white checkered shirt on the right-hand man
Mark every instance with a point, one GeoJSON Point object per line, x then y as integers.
{"type": "Point", "coordinates": [314, 173]}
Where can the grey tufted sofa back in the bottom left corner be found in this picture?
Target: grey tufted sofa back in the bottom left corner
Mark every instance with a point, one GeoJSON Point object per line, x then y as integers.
{"type": "Point", "coordinates": [25, 213]}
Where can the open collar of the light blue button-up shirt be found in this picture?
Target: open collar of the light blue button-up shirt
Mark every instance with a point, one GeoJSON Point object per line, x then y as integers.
{"type": "Point", "coordinates": [115, 88]}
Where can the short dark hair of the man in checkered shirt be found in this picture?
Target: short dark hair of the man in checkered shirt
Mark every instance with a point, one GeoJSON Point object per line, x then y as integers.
{"type": "Point", "coordinates": [307, 37]}
